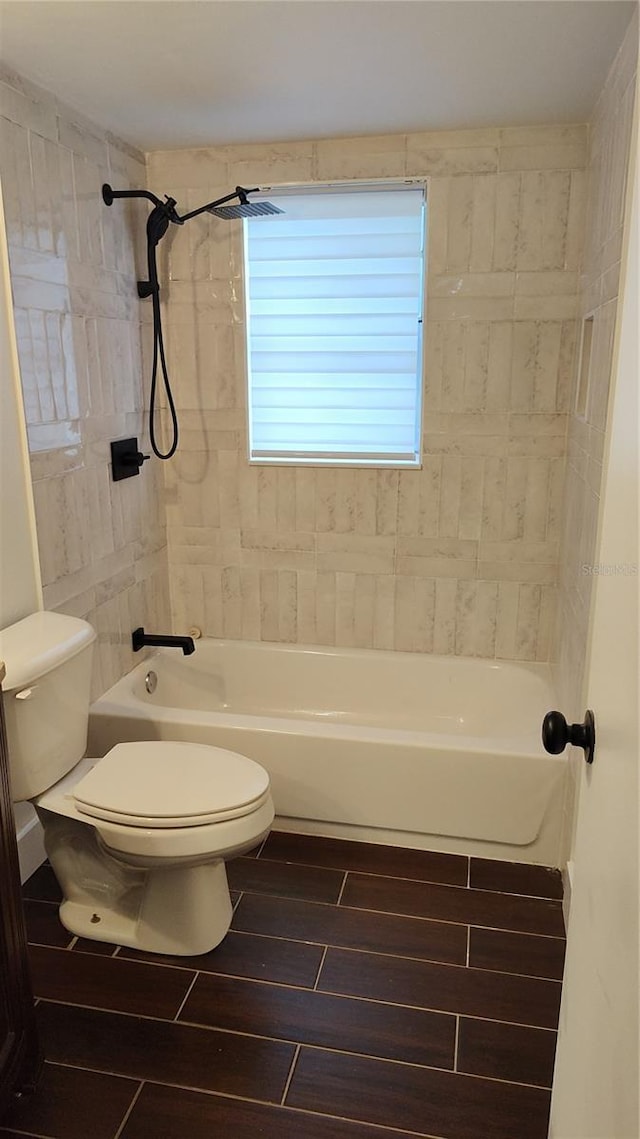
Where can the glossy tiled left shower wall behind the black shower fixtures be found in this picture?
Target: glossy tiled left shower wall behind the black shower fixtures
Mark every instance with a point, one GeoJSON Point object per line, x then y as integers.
{"type": "Point", "coordinates": [103, 545]}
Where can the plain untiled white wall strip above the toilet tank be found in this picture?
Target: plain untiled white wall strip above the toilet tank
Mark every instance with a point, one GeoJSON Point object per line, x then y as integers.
{"type": "Point", "coordinates": [20, 573]}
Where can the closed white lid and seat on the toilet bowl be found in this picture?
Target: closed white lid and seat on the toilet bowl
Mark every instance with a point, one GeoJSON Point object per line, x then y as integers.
{"type": "Point", "coordinates": [162, 784]}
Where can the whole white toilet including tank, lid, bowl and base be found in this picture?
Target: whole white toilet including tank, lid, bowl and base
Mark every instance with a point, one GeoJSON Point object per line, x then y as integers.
{"type": "Point", "coordinates": [137, 839]}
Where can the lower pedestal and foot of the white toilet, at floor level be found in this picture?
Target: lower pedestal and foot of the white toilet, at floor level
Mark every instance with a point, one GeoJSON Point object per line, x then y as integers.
{"type": "Point", "coordinates": [182, 913]}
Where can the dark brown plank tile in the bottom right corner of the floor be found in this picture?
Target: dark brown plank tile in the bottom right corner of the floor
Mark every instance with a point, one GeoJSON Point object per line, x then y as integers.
{"type": "Point", "coordinates": [423, 1101]}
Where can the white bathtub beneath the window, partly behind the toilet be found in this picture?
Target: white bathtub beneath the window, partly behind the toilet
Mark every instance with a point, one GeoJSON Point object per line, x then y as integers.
{"type": "Point", "coordinates": [440, 753]}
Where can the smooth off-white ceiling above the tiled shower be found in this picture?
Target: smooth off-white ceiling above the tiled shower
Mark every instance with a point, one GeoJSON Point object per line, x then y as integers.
{"type": "Point", "coordinates": [183, 73]}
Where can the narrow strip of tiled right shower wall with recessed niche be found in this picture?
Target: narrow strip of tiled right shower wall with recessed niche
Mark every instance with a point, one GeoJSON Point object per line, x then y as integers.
{"type": "Point", "coordinates": [600, 286]}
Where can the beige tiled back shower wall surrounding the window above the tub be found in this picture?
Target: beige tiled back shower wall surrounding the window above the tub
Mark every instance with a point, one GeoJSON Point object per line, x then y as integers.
{"type": "Point", "coordinates": [458, 558]}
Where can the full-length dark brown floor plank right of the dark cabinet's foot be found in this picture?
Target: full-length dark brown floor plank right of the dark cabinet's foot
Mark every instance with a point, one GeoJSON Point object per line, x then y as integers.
{"type": "Point", "coordinates": [166, 1052]}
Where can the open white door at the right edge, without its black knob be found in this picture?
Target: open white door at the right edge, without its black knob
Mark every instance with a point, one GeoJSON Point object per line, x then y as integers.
{"type": "Point", "coordinates": [596, 1086]}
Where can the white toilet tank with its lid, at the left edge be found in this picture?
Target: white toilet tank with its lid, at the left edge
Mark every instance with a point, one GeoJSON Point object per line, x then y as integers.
{"type": "Point", "coordinates": [46, 695]}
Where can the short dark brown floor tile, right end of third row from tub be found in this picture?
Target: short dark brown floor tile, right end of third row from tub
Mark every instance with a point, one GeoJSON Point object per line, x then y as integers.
{"type": "Point", "coordinates": [518, 953]}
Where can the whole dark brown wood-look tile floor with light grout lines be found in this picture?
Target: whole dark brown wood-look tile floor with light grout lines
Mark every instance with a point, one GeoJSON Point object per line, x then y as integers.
{"type": "Point", "coordinates": [364, 993]}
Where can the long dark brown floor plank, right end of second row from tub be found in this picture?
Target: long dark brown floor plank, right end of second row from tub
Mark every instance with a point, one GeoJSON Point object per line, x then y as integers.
{"type": "Point", "coordinates": [452, 904]}
